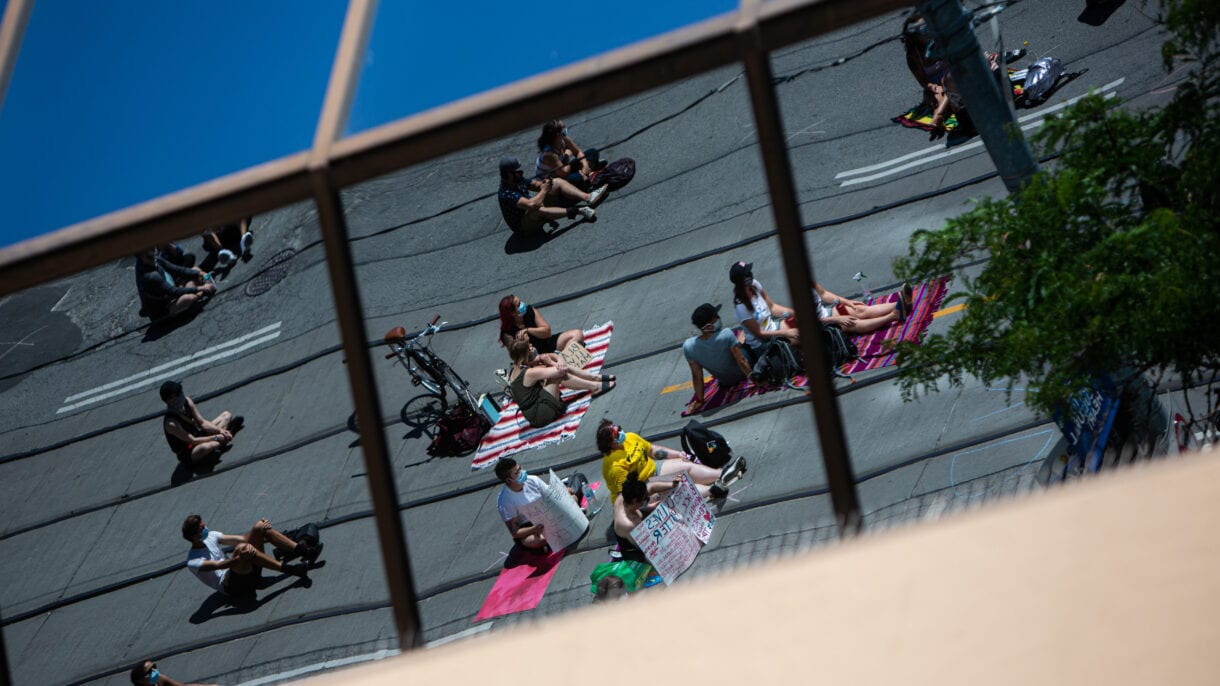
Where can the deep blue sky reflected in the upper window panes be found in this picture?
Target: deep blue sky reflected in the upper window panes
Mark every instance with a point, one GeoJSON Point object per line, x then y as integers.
{"type": "Point", "coordinates": [117, 103]}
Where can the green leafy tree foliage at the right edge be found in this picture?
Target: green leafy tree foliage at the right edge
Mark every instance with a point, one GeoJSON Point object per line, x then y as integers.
{"type": "Point", "coordinates": [1108, 261]}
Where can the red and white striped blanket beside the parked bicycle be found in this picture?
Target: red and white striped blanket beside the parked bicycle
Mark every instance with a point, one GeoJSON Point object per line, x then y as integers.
{"type": "Point", "coordinates": [513, 434]}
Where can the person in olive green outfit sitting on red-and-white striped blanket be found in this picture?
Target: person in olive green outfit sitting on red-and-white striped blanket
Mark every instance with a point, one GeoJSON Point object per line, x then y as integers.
{"type": "Point", "coordinates": [536, 381]}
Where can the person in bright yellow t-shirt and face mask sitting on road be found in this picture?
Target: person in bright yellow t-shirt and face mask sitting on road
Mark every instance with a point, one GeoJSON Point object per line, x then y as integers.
{"type": "Point", "coordinates": [630, 453]}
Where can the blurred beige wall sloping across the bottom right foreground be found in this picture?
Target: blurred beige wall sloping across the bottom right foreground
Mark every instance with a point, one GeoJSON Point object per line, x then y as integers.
{"type": "Point", "coordinates": [1114, 580]}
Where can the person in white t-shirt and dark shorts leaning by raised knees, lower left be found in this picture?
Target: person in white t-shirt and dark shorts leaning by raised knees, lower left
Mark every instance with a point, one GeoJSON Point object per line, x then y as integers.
{"type": "Point", "coordinates": [239, 577]}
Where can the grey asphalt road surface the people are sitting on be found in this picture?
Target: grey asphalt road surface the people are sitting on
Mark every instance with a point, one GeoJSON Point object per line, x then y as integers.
{"type": "Point", "coordinates": [91, 501]}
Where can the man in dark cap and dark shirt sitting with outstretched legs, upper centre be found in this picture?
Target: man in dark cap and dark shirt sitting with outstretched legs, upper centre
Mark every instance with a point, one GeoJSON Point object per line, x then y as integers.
{"type": "Point", "coordinates": [529, 206]}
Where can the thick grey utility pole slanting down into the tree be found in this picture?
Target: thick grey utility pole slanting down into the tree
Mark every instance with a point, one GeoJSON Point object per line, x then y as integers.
{"type": "Point", "coordinates": [989, 107]}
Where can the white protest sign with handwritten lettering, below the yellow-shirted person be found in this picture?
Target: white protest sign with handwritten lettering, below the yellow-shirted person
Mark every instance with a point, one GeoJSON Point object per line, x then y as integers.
{"type": "Point", "coordinates": [673, 534]}
